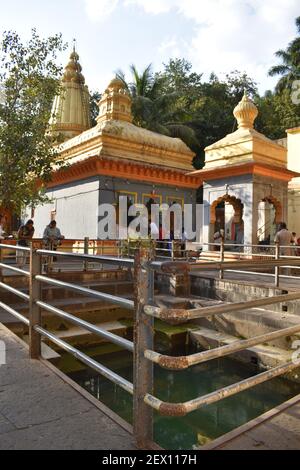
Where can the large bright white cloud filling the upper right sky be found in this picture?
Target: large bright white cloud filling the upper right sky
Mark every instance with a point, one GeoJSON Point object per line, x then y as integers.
{"type": "Point", "coordinates": [227, 34]}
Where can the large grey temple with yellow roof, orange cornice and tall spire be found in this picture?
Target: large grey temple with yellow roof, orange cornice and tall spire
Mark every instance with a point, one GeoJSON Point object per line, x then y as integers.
{"type": "Point", "coordinates": [111, 159]}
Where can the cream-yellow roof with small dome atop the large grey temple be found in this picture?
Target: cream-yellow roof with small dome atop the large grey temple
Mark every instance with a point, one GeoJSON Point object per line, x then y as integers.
{"type": "Point", "coordinates": [115, 136]}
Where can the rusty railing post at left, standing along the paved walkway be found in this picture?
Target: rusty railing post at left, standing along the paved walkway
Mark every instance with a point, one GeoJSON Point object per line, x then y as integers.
{"type": "Point", "coordinates": [34, 310]}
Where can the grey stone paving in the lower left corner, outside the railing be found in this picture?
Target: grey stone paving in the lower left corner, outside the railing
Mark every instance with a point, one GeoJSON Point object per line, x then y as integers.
{"type": "Point", "coordinates": [38, 410]}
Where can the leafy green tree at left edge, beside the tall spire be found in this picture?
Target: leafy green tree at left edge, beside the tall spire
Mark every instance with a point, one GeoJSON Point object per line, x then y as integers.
{"type": "Point", "coordinates": [30, 79]}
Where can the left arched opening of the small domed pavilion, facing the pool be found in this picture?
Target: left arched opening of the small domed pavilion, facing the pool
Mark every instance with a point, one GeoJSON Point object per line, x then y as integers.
{"type": "Point", "coordinates": [226, 214]}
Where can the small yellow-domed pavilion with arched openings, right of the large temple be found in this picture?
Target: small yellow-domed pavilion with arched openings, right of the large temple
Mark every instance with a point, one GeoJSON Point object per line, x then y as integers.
{"type": "Point", "coordinates": [245, 180]}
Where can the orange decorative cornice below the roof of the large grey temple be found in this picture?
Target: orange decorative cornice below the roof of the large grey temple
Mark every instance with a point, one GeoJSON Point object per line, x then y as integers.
{"type": "Point", "coordinates": [96, 166]}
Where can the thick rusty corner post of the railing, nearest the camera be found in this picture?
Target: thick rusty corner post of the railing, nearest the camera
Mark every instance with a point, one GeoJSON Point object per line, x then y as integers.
{"type": "Point", "coordinates": [143, 339]}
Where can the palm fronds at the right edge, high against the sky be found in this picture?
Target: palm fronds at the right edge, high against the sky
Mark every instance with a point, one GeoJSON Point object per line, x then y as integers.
{"type": "Point", "coordinates": [289, 69]}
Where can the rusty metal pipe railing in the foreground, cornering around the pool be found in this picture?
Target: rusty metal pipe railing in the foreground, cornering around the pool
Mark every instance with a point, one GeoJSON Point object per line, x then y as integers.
{"type": "Point", "coordinates": [145, 311]}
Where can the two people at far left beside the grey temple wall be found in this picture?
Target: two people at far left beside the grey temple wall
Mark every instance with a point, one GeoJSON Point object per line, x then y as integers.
{"type": "Point", "coordinates": [52, 237]}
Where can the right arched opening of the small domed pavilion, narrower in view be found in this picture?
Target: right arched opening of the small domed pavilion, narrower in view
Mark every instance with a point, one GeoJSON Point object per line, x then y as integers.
{"type": "Point", "coordinates": [269, 216]}
